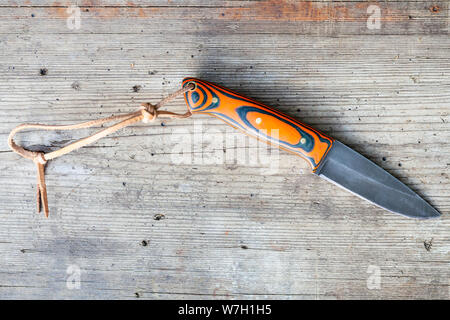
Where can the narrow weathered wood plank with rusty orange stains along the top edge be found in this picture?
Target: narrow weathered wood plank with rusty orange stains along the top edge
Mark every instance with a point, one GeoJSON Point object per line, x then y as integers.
{"type": "Point", "coordinates": [241, 17]}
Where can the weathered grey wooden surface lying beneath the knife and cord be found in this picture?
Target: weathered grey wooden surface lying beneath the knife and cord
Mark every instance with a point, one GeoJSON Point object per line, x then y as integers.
{"type": "Point", "coordinates": [140, 225]}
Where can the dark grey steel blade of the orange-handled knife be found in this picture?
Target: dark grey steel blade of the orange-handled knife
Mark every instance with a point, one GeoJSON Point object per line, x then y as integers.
{"type": "Point", "coordinates": [357, 174]}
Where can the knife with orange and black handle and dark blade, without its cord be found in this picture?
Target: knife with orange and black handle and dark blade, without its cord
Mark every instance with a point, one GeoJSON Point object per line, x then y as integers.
{"type": "Point", "coordinates": [328, 158]}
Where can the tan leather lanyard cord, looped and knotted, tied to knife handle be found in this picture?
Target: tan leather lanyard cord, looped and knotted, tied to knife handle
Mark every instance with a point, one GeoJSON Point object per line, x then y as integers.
{"type": "Point", "coordinates": [148, 112]}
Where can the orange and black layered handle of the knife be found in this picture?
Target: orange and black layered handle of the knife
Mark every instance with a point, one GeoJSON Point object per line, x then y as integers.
{"type": "Point", "coordinates": [258, 120]}
